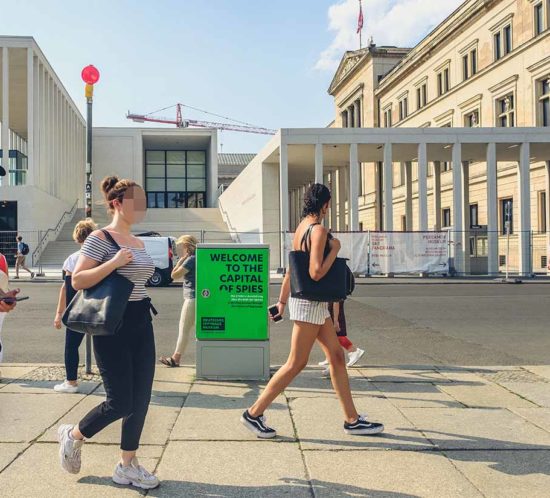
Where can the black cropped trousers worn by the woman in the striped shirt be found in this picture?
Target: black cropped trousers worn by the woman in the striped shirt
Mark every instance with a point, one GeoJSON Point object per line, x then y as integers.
{"type": "Point", "coordinates": [126, 362]}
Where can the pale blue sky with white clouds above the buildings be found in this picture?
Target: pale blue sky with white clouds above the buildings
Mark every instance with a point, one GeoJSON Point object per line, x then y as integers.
{"type": "Point", "coordinates": [264, 62]}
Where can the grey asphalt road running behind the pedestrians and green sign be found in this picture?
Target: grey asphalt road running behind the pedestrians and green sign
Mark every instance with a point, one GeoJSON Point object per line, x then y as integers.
{"type": "Point", "coordinates": [397, 323]}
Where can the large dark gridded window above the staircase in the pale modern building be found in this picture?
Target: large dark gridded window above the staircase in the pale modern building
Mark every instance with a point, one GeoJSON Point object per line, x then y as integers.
{"type": "Point", "coordinates": [175, 178]}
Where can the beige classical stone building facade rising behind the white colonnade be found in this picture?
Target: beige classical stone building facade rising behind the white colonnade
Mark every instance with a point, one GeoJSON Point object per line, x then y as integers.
{"type": "Point", "coordinates": [486, 65]}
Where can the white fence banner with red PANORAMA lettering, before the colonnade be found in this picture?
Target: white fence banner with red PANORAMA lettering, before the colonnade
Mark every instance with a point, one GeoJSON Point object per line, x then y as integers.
{"type": "Point", "coordinates": [408, 252]}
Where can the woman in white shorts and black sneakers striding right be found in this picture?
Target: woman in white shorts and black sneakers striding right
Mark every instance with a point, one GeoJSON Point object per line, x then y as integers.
{"type": "Point", "coordinates": [311, 322]}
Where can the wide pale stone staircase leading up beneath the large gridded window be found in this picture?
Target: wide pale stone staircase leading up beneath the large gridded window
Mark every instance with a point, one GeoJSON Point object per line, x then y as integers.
{"type": "Point", "coordinates": [206, 224]}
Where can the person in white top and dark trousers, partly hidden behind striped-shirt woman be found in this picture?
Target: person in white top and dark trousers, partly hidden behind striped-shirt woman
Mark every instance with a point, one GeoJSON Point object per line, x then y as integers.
{"type": "Point", "coordinates": [73, 339]}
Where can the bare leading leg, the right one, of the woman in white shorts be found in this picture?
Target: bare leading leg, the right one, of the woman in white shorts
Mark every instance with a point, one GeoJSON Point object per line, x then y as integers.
{"type": "Point", "coordinates": [338, 373]}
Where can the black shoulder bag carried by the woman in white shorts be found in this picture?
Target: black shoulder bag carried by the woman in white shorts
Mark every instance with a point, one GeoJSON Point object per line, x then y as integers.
{"type": "Point", "coordinates": [336, 285]}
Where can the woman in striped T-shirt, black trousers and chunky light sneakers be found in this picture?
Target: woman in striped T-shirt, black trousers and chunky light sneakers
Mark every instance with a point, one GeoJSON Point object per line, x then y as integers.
{"type": "Point", "coordinates": [126, 360]}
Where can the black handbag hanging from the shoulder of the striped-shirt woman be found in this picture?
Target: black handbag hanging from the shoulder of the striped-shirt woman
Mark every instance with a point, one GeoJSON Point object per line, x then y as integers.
{"type": "Point", "coordinates": [99, 310]}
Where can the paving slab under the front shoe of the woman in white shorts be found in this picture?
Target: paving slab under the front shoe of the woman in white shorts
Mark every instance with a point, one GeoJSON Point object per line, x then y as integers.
{"type": "Point", "coordinates": [320, 425]}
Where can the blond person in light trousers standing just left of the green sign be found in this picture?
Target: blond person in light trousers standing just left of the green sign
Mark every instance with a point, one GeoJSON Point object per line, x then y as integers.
{"type": "Point", "coordinates": [185, 267]}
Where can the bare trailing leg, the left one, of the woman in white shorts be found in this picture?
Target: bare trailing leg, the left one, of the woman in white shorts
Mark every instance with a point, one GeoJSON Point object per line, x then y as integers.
{"type": "Point", "coordinates": [303, 338]}
